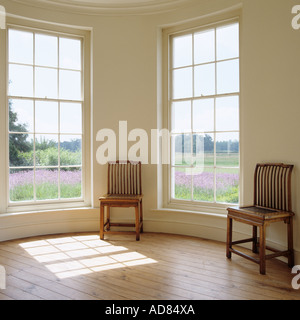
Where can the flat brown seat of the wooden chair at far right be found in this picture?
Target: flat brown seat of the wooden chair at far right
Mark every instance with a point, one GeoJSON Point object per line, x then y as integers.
{"type": "Point", "coordinates": [258, 213]}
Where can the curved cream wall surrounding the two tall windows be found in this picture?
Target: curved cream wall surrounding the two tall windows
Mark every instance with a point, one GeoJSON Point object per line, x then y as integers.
{"type": "Point", "coordinates": [125, 80]}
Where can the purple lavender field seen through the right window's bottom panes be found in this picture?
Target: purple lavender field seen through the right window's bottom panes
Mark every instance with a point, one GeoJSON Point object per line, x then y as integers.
{"type": "Point", "coordinates": [203, 186]}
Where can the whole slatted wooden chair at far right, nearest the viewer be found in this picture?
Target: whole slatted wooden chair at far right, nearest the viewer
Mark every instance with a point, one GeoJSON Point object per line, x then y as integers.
{"type": "Point", "coordinates": [272, 203]}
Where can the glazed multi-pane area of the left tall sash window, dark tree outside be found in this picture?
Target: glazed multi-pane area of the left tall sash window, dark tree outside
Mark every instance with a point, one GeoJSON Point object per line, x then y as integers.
{"type": "Point", "coordinates": [45, 101]}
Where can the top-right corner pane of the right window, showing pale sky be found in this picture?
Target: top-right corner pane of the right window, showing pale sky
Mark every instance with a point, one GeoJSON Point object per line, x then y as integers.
{"type": "Point", "coordinates": [228, 42]}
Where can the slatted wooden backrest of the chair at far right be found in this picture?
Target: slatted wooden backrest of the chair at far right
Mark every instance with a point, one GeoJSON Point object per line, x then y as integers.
{"type": "Point", "coordinates": [272, 186]}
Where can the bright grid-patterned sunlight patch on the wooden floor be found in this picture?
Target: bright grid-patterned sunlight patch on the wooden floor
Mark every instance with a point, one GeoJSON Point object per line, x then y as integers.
{"type": "Point", "coordinates": [78, 255]}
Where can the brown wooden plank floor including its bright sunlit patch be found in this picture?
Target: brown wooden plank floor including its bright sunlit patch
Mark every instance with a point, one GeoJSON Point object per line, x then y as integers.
{"type": "Point", "coordinates": [159, 267]}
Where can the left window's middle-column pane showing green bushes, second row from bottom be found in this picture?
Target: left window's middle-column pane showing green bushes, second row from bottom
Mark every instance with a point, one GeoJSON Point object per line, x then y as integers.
{"type": "Point", "coordinates": [46, 150]}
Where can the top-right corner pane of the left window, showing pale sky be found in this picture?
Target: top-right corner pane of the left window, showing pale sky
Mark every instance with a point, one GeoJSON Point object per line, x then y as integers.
{"type": "Point", "coordinates": [69, 54]}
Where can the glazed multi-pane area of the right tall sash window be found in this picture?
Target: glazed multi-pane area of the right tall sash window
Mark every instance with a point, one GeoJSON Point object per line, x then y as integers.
{"type": "Point", "coordinates": [204, 114]}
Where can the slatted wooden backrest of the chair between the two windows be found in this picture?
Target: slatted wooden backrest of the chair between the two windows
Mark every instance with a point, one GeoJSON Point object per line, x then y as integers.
{"type": "Point", "coordinates": [124, 177]}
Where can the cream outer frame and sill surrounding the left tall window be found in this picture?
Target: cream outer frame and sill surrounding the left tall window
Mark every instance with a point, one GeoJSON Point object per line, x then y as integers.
{"type": "Point", "coordinates": [58, 30]}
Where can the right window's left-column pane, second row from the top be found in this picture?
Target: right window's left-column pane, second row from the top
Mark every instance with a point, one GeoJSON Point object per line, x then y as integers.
{"type": "Point", "coordinates": [182, 83]}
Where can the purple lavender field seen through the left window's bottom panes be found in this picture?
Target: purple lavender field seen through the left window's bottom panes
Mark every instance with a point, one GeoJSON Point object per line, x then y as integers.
{"type": "Point", "coordinates": [46, 182]}
